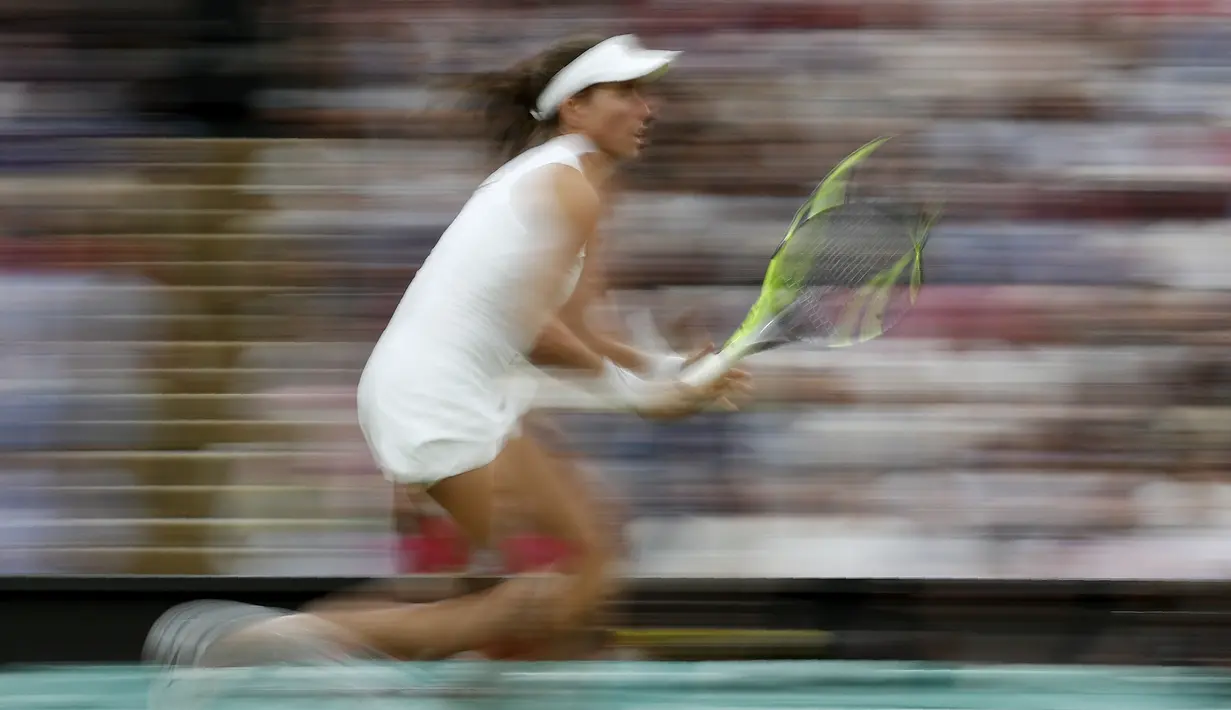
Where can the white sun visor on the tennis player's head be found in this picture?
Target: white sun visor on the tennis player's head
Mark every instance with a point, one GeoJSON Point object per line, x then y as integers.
{"type": "Point", "coordinates": [610, 62]}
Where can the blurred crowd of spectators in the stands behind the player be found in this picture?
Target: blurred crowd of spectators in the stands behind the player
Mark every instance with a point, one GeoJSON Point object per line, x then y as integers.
{"type": "Point", "coordinates": [210, 209]}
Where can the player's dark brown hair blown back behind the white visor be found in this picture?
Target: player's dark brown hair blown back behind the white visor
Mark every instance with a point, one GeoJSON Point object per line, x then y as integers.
{"type": "Point", "coordinates": [508, 98]}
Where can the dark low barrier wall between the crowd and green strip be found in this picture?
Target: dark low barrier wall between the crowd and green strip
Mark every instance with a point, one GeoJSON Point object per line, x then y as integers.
{"type": "Point", "coordinates": [104, 620]}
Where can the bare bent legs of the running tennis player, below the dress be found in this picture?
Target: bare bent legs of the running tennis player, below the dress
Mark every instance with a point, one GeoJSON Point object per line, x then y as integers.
{"type": "Point", "coordinates": [550, 493]}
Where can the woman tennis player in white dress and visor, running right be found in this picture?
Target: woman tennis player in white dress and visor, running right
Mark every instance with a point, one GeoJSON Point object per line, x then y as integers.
{"type": "Point", "coordinates": [443, 398]}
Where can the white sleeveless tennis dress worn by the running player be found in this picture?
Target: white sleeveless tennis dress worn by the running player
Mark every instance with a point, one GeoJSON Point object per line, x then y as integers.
{"type": "Point", "coordinates": [441, 393]}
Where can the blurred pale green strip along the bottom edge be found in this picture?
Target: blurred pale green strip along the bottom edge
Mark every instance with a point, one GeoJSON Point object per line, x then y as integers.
{"type": "Point", "coordinates": [607, 686]}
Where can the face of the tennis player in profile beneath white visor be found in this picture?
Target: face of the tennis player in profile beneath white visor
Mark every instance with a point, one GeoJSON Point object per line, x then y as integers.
{"type": "Point", "coordinates": [615, 116]}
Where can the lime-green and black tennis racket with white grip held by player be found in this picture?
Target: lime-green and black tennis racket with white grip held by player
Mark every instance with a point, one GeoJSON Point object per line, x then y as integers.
{"type": "Point", "coordinates": [846, 273]}
